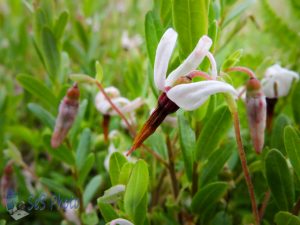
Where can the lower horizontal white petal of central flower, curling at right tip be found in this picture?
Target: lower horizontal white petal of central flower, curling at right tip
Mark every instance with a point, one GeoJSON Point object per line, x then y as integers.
{"type": "Point", "coordinates": [191, 96]}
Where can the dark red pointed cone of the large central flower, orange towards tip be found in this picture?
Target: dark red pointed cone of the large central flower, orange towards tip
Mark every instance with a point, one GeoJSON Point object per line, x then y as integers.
{"type": "Point", "coordinates": [164, 107]}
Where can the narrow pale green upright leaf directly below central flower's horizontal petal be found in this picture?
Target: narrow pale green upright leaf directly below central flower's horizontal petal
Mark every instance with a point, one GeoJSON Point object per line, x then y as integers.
{"type": "Point", "coordinates": [187, 143]}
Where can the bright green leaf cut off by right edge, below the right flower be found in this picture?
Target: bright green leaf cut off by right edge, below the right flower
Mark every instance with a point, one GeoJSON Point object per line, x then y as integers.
{"type": "Point", "coordinates": [292, 147]}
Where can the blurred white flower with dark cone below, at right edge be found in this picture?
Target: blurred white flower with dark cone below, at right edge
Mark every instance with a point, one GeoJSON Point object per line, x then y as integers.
{"type": "Point", "coordinates": [278, 81]}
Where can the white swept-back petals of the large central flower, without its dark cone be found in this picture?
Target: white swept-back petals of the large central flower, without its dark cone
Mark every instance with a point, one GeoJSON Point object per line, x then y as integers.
{"type": "Point", "coordinates": [188, 96]}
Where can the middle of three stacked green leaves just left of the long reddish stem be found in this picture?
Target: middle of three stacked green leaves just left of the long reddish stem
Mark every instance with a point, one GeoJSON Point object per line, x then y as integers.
{"type": "Point", "coordinates": [215, 163]}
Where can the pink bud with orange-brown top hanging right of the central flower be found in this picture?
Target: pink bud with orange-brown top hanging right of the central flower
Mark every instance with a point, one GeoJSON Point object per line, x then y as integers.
{"type": "Point", "coordinates": [256, 111]}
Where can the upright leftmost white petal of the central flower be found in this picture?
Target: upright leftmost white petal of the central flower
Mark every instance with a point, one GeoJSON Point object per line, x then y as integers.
{"type": "Point", "coordinates": [163, 54]}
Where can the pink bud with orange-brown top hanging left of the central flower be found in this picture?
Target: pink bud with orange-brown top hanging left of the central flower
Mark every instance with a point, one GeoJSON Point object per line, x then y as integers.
{"type": "Point", "coordinates": [66, 114]}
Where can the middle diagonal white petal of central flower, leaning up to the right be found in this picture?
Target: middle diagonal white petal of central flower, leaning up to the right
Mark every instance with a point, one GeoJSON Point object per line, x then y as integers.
{"type": "Point", "coordinates": [192, 61]}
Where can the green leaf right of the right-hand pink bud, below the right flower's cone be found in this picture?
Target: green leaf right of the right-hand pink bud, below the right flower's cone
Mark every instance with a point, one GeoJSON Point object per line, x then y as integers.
{"type": "Point", "coordinates": [277, 133]}
